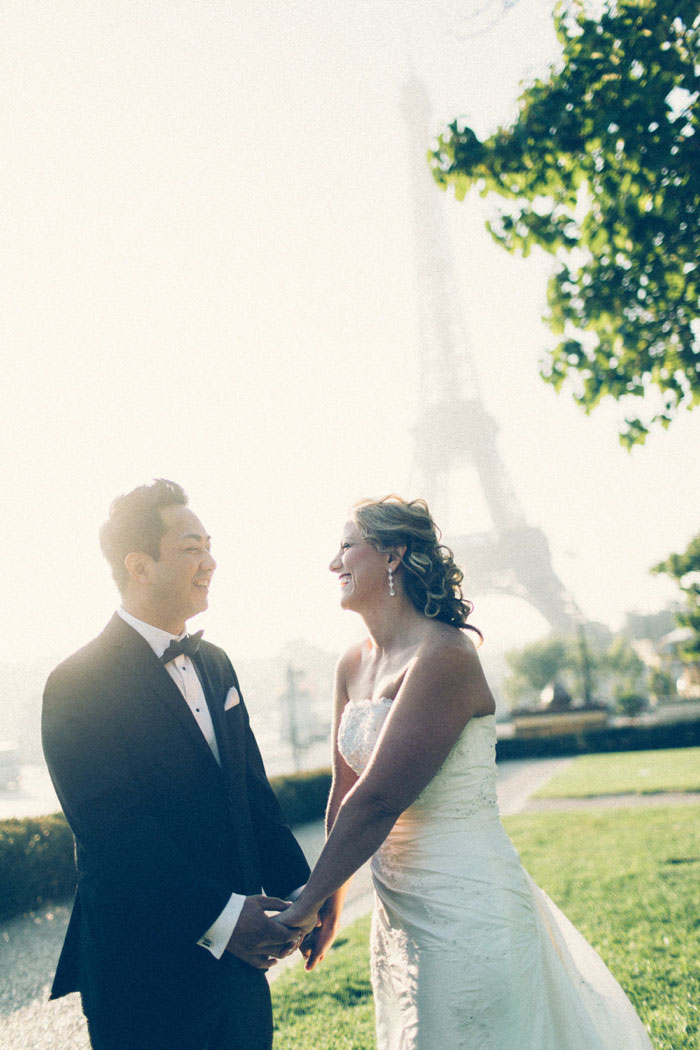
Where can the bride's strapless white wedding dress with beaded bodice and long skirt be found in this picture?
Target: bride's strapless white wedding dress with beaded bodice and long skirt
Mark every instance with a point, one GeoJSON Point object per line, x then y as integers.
{"type": "Point", "coordinates": [468, 953]}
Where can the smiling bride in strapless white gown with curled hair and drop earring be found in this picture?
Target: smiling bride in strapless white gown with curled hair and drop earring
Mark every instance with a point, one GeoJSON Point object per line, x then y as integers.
{"type": "Point", "coordinates": [468, 953]}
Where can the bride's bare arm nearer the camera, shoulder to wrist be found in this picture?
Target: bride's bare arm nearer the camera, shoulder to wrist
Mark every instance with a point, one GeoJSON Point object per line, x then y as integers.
{"type": "Point", "coordinates": [439, 696]}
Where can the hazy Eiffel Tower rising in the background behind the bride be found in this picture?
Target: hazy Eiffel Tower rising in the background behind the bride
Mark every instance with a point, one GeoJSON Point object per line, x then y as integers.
{"type": "Point", "coordinates": [455, 427]}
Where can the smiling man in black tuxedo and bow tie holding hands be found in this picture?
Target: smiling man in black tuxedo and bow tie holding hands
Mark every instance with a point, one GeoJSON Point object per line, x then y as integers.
{"type": "Point", "coordinates": [177, 828]}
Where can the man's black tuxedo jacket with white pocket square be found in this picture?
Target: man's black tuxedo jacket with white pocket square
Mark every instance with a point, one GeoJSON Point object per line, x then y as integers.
{"type": "Point", "coordinates": [164, 834]}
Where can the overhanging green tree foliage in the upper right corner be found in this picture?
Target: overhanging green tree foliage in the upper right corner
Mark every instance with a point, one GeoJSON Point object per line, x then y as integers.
{"type": "Point", "coordinates": [602, 169]}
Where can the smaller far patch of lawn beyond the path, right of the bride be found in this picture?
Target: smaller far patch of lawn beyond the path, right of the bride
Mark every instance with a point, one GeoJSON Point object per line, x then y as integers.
{"type": "Point", "coordinates": [628, 772]}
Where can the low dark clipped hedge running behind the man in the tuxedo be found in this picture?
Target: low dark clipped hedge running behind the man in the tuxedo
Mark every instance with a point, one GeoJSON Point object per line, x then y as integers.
{"type": "Point", "coordinates": [37, 854]}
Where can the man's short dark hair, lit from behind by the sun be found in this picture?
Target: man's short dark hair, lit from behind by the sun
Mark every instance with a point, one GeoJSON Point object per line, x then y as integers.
{"type": "Point", "coordinates": [135, 524]}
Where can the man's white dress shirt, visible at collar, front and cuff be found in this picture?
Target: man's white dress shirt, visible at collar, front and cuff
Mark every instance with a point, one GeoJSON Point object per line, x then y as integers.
{"type": "Point", "coordinates": [184, 675]}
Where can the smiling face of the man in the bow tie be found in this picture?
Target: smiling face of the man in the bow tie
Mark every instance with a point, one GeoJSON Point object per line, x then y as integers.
{"type": "Point", "coordinates": [181, 578]}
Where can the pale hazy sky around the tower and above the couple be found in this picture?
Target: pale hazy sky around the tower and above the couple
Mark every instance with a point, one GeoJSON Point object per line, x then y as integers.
{"type": "Point", "coordinates": [209, 276]}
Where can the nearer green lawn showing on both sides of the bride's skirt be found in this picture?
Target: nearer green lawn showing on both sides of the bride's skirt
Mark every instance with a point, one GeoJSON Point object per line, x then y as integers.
{"type": "Point", "coordinates": [627, 878]}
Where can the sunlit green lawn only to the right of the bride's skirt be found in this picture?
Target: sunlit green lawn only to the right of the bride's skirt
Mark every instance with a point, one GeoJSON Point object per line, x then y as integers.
{"type": "Point", "coordinates": [629, 880]}
